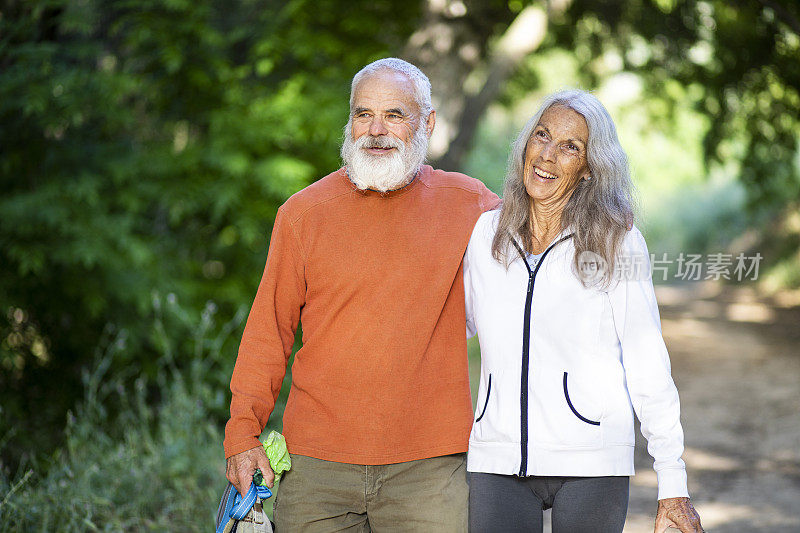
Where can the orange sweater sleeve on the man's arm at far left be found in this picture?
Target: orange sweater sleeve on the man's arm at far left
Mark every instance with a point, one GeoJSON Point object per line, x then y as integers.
{"type": "Point", "coordinates": [267, 340]}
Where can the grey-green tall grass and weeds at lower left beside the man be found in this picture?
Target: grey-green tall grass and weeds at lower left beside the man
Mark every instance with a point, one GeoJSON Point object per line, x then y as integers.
{"type": "Point", "coordinates": [138, 454]}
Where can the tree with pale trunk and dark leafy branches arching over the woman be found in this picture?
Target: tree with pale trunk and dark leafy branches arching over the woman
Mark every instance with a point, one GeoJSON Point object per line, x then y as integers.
{"type": "Point", "coordinates": [738, 58]}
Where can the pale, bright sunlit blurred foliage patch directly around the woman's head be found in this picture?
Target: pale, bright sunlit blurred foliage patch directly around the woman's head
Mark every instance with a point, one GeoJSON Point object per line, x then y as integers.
{"type": "Point", "coordinates": [682, 207]}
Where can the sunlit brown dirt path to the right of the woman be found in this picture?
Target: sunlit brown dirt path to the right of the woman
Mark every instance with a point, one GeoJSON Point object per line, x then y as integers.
{"type": "Point", "coordinates": [736, 362]}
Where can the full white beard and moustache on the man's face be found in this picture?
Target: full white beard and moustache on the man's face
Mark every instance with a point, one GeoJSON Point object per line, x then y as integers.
{"type": "Point", "coordinates": [383, 172]}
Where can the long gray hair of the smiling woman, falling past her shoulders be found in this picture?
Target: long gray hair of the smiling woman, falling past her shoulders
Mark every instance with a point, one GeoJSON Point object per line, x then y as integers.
{"type": "Point", "coordinates": [599, 211]}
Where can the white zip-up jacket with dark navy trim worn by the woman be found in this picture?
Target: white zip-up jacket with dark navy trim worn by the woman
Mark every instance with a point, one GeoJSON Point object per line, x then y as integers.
{"type": "Point", "coordinates": [564, 367]}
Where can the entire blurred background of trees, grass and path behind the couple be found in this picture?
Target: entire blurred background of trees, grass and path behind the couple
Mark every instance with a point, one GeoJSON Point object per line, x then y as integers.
{"type": "Point", "coordinates": [145, 147]}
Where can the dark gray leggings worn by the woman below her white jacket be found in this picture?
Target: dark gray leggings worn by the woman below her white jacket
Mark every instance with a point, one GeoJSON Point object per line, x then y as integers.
{"type": "Point", "coordinates": [580, 504]}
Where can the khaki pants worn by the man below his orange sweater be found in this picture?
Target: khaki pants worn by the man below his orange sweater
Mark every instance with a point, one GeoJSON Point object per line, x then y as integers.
{"type": "Point", "coordinates": [325, 496]}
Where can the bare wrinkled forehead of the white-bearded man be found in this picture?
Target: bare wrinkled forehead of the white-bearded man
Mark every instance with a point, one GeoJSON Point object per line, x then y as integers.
{"type": "Point", "coordinates": [383, 90]}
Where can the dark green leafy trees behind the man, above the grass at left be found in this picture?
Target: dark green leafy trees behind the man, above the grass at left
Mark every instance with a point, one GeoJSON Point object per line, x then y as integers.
{"type": "Point", "coordinates": [146, 146]}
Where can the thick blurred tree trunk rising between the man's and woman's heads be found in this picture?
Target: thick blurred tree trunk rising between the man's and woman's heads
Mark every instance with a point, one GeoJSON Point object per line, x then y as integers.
{"type": "Point", "coordinates": [468, 61]}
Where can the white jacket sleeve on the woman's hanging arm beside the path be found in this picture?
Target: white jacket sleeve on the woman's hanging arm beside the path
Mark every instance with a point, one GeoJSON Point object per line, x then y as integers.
{"type": "Point", "coordinates": [647, 366]}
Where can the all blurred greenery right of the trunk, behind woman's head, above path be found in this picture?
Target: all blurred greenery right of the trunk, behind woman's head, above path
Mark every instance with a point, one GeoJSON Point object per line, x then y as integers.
{"type": "Point", "coordinates": [706, 98]}
